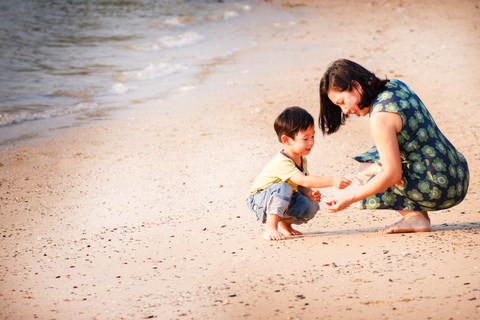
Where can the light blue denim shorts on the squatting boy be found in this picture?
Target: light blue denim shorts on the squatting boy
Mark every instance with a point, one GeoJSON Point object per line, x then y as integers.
{"type": "Point", "coordinates": [278, 199]}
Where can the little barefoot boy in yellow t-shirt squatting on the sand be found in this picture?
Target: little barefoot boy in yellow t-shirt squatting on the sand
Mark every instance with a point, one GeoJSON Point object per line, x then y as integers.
{"type": "Point", "coordinates": [282, 195]}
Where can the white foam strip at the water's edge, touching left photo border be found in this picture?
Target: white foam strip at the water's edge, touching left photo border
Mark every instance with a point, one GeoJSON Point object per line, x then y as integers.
{"type": "Point", "coordinates": [18, 117]}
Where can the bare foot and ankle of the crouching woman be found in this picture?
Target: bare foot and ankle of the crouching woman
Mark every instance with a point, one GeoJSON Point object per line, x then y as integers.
{"type": "Point", "coordinates": [412, 221]}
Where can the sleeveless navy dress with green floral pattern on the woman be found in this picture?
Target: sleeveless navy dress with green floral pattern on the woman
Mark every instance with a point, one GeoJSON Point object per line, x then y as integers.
{"type": "Point", "coordinates": [435, 174]}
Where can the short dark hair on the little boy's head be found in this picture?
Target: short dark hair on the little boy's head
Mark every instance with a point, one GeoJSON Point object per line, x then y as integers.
{"type": "Point", "coordinates": [291, 121]}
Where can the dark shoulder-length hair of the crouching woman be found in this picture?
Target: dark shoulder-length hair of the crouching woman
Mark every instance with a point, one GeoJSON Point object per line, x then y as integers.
{"type": "Point", "coordinates": [340, 75]}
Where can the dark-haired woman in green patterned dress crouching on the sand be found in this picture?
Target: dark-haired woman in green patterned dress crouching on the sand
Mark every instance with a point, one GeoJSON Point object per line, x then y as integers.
{"type": "Point", "coordinates": [412, 168]}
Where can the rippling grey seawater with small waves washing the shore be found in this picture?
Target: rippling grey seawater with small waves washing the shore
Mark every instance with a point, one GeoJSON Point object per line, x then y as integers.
{"type": "Point", "coordinates": [60, 57]}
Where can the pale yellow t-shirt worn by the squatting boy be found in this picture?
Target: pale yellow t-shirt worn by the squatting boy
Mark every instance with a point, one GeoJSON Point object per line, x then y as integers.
{"type": "Point", "coordinates": [280, 169]}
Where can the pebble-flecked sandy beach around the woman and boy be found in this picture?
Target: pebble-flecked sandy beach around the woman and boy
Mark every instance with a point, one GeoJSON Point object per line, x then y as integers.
{"type": "Point", "coordinates": [141, 214]}
